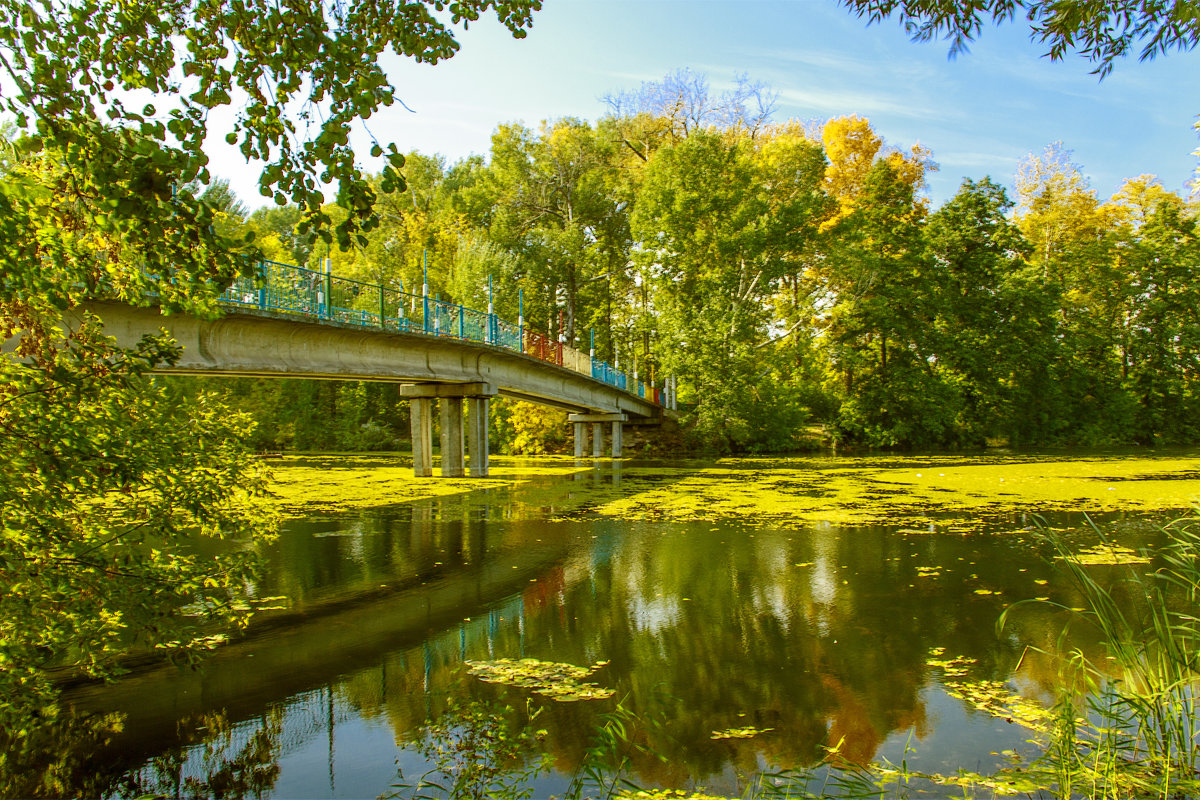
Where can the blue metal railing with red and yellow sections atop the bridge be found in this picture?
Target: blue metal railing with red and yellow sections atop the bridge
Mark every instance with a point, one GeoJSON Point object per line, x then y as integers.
{"type": "Point", "coordinates": [320, 296]}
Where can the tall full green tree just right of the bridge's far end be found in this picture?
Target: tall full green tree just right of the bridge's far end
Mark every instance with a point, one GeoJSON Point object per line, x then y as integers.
{"type": "Point", "coordinates": [716, 244]}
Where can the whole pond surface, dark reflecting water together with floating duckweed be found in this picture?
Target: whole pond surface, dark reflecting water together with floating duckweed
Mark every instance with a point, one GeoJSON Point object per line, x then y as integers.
{"type": "Point", "coordinates": [743, 615]}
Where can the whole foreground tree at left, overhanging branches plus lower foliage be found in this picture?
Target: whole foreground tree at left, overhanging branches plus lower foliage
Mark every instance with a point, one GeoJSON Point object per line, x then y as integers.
{"type": "Point", "coordinates": [106, 482]}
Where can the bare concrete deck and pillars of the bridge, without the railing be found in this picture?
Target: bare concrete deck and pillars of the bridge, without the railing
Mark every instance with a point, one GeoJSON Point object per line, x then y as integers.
{"type": "Point", "coordinates": [460, 376]}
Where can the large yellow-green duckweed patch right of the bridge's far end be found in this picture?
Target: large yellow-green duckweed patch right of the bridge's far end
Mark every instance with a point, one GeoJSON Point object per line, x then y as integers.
{"type": "Point", "coordinates": [877, 491]}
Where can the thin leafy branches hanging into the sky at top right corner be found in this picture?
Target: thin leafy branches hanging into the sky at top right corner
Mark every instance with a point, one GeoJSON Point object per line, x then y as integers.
{"type": "Point", "coordinates": [1100, 31]}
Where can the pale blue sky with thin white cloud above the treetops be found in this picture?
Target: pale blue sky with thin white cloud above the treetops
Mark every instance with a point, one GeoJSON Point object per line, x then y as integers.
{"type": "Point", "coordinates": [981, 115]}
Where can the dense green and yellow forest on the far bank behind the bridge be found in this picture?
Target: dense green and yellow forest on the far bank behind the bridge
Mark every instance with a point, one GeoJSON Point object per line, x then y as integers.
{"type": "Point", "coordinates": [794, 276]}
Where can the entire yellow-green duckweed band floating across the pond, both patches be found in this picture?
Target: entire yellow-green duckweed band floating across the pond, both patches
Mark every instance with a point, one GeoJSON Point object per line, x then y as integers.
{"type": "Point", "coordinates": [920, 495]}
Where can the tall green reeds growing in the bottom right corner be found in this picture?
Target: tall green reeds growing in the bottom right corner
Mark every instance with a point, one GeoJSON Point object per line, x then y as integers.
{"type": "Point", "coordinates": [1127, 727]}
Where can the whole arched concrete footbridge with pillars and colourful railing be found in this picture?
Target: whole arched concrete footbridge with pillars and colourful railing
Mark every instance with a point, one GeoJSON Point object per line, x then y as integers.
{"type": "Point", "coordinates": [429, 356]}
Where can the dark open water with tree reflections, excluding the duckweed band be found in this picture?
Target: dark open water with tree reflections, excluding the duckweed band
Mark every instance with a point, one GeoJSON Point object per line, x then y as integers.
{"type": "Point", "coordinates": [813, 635]}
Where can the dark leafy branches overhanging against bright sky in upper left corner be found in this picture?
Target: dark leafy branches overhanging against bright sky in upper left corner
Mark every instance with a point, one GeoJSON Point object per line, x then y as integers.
{"type": "Point", "coordinates": [296, 76]}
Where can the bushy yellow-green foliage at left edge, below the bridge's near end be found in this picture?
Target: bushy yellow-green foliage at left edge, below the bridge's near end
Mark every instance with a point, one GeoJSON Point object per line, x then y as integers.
{"type": "Point", "coordinates": [113, 497]}
